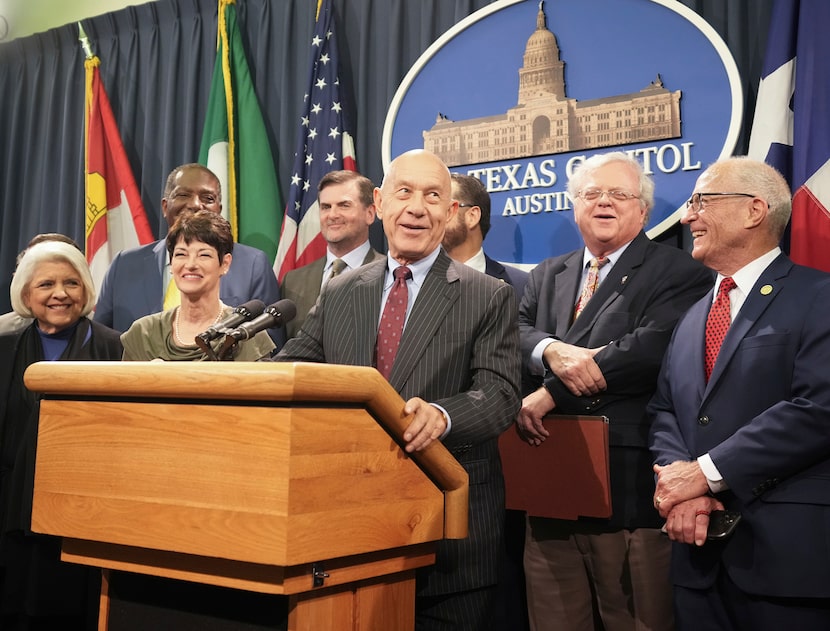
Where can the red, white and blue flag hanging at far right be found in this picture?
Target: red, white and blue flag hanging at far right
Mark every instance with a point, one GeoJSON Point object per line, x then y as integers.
{"type": "Point", "coordinates": [791, 128]}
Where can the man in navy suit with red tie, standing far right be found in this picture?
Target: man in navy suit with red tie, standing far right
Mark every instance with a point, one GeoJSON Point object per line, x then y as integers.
{"type": "Point", "coordinates": [753, 437]}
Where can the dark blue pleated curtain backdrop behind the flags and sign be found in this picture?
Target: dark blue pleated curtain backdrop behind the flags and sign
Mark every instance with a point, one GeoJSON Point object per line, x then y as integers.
{"type": "Point", "coordinates": [156, 64]}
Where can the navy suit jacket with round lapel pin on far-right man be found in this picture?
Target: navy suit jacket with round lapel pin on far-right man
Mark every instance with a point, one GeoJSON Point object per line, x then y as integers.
{"type": "Point", "coordinates": [764, 418]}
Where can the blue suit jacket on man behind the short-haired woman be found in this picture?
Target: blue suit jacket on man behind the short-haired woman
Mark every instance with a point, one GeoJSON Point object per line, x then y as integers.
{"type": "Point", "coordinates": [132, 287]}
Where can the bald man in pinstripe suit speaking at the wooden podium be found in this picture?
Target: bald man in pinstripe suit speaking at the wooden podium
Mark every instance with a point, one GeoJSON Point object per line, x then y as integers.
{"type": "Point", "coordinates": [457, 366]}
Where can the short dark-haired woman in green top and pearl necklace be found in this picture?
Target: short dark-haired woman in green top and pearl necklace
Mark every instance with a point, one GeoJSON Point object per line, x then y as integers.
{"type": "Point", "coordinates": [200, 246]}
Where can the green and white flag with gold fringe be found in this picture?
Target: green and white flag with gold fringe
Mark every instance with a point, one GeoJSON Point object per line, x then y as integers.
{"type": "Point", "coordinates": [235, 143]}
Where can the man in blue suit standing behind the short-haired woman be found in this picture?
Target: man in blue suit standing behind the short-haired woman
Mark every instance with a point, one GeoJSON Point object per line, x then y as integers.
{"type": "Point", "coordinates": [136, 282]}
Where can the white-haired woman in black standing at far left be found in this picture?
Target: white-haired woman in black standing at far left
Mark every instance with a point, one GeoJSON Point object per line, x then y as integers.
{"type": "Point", "coordinates": [53, 287]}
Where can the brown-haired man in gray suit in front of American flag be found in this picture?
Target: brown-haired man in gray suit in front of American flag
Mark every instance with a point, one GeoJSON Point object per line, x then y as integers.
{"type": "Point", "coordinates": [346, 212]}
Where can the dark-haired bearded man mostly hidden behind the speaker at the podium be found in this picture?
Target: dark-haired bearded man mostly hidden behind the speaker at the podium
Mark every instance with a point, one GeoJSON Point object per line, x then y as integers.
{"type": "Point", "coordinates": [466, 232]}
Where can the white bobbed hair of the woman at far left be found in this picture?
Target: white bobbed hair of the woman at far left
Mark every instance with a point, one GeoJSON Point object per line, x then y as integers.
{"type": "Point", "coordinates": [49, 251]}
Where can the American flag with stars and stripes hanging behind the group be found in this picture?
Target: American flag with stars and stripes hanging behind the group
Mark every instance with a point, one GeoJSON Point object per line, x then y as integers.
{"type": "Point", "coordinates": [323, 145]}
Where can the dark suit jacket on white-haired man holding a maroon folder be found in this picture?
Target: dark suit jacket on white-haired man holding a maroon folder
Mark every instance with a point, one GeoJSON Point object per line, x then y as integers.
{"type": "Point", "coordinates": [632, 314]}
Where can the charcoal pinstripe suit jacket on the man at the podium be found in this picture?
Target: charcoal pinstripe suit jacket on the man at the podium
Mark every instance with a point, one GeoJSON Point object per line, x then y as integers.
{"type": "Point", "coordinates": [459, 350]}
